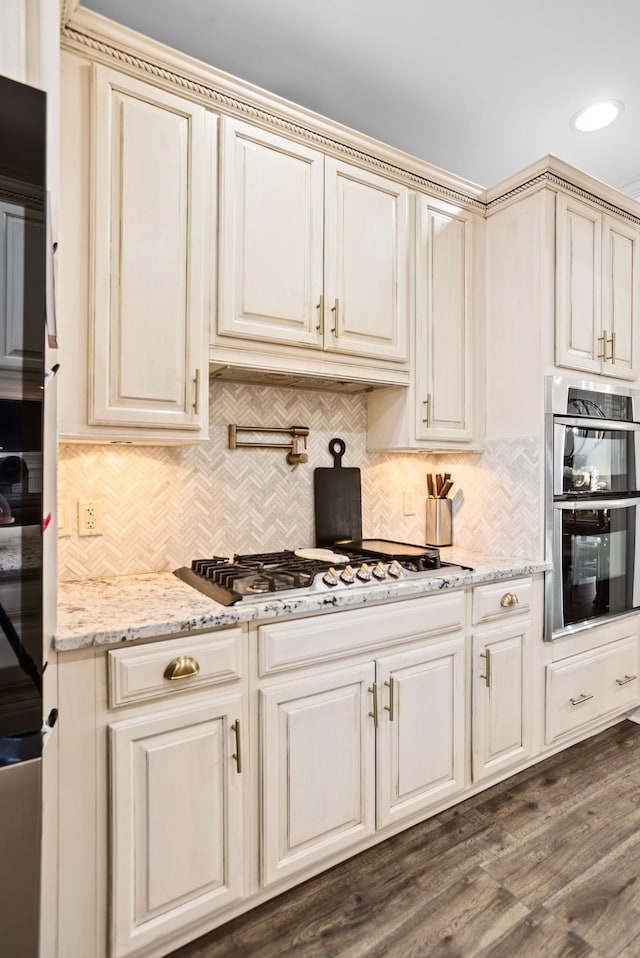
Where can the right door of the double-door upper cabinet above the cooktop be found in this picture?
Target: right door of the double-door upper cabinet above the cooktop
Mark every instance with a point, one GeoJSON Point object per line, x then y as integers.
{"type": "Point", "coordinates": [366, 263]}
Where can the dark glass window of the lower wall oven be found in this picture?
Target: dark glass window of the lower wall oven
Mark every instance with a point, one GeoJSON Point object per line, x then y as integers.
{"type": "Point", "coordinates": [598, 547]}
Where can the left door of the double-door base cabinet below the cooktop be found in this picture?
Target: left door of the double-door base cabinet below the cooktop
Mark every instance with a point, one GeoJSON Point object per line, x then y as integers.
{"type": "Point", "coordinates": [318, 764]}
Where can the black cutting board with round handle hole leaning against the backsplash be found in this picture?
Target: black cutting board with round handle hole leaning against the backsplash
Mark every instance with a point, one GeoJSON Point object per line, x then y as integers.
{"type": "Point", "coordinates": [337, 499]}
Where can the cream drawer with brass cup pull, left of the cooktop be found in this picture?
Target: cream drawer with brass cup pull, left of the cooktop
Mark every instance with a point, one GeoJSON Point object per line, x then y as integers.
{"type": "Point", "coordinates": [138, 674]}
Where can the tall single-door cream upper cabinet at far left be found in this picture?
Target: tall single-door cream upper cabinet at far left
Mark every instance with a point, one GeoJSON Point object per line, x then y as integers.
{"type": "Point", "coordinates": [137, 194]}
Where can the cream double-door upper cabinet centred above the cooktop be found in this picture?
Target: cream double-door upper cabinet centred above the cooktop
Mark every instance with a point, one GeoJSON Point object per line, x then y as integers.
{"type": "Point", "coordinates": [313, 268]}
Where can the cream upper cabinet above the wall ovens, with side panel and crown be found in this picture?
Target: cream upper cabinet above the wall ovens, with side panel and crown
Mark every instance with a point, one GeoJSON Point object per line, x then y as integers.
{"type": "Point", "coordinates": [562, 289]}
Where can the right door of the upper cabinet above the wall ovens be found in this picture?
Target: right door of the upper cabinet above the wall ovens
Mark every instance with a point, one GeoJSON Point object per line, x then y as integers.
{"type": "Point", "coordinates": [620, 297]}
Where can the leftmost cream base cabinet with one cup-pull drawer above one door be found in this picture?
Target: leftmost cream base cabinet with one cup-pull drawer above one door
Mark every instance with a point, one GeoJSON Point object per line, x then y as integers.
{"type": "Point", "coordinates": [155, 851]}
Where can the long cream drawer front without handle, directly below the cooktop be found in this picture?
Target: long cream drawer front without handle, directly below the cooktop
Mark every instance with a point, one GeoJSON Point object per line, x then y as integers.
{"type": "Point", "coordinates": [286, 645]}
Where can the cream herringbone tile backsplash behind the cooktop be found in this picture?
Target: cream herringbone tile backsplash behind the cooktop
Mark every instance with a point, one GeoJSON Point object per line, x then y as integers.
{"type": "Point", "coordinates": [163, 506]}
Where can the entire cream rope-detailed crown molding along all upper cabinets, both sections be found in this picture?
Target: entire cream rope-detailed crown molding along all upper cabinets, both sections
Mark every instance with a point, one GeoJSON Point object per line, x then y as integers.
{"type": "Point", "coordinates": [97, 38]}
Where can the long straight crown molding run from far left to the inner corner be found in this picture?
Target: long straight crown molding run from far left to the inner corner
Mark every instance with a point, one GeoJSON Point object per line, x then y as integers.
{"type": "Point", "coordinates": [98, 38]}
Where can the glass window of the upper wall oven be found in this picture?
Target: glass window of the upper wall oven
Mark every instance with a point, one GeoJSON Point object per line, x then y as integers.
{"type": "Point", "coordinates": [598, 461]}
